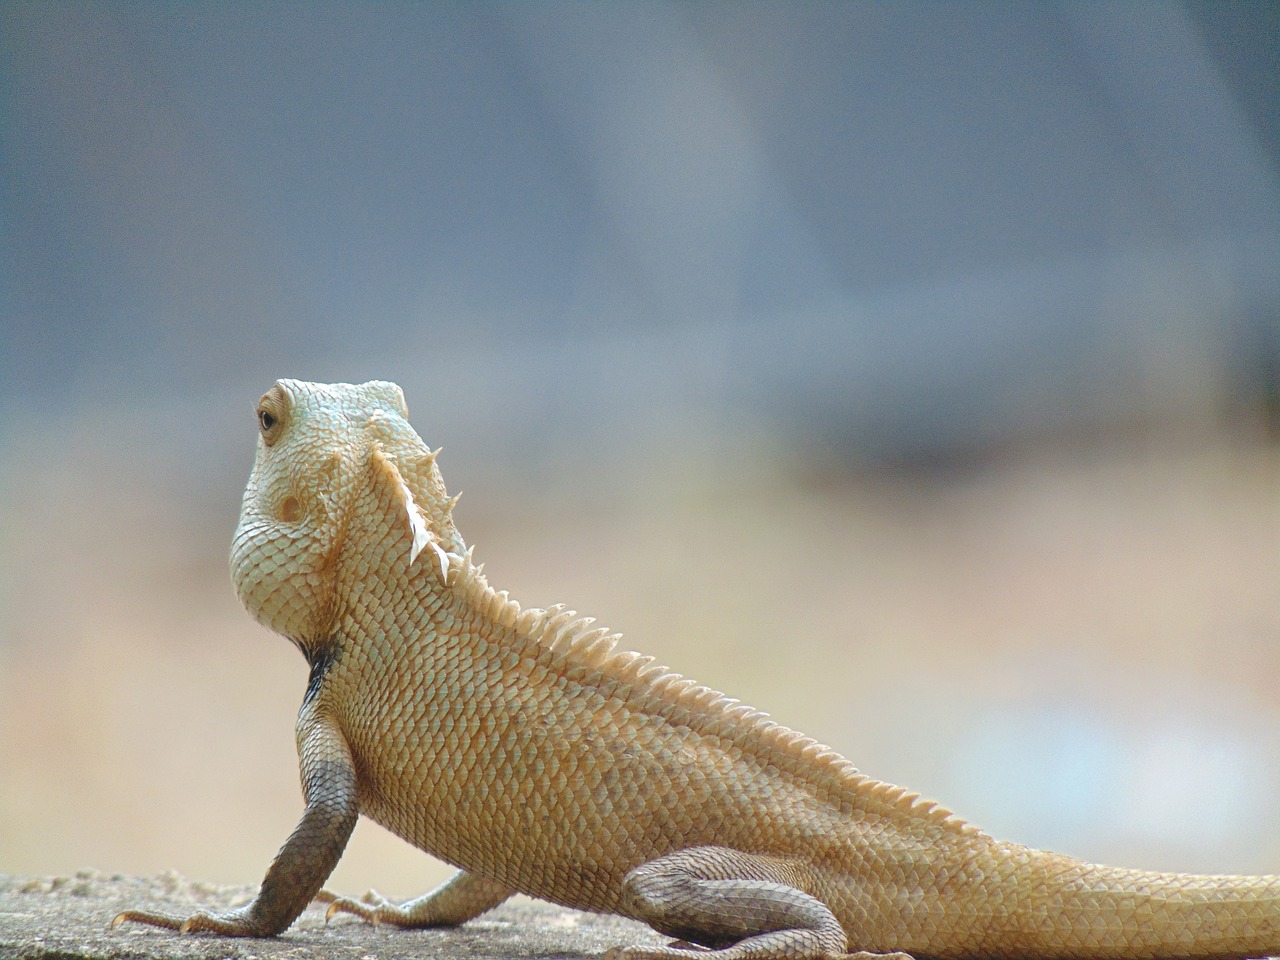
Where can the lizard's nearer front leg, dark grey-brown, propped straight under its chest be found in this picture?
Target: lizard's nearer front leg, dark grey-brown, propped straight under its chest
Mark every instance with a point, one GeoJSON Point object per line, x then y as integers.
{"type": "Point", "coordinates": [308, 857]}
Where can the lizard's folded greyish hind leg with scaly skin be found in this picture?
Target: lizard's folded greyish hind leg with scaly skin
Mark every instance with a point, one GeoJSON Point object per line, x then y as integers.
{"type": "Point", "coordinates": [747, 907]}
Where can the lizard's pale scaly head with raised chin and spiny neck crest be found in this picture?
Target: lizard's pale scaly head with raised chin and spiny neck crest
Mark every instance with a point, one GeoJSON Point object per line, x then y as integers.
{"type": "Point", "coordinates": [344, 491]}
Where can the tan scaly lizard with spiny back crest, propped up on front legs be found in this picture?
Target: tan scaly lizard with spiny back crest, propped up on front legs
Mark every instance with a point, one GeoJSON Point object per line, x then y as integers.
{"type": "Point", "coordinates": [527, 749]}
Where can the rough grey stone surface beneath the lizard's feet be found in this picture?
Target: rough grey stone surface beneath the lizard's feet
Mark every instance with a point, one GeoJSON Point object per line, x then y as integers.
{"type": "Point", "coordinates": [67, 918]}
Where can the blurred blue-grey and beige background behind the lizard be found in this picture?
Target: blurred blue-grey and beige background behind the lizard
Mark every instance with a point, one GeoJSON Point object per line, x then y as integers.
{"type": "Point", "coordinates": [908, 371]}
